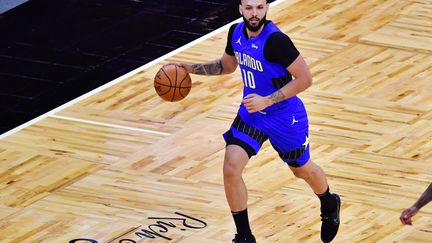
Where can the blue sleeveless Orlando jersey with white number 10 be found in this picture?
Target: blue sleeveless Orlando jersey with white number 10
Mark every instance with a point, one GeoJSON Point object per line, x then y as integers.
{"type": "Point", "coordinates": [257, 72]}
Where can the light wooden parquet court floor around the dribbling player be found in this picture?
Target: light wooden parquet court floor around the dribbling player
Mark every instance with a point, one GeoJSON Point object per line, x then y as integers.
{"type": "Point", "coordinates": [124, 166]}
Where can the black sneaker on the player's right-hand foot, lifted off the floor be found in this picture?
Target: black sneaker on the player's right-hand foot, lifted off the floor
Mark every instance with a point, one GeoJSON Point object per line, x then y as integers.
{"type": "Point", "coordinates": [330, 222]}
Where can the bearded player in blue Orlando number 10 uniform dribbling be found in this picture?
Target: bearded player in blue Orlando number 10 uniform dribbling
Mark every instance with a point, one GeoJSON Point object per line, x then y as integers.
{"type": "Point", "coordinates": [270, 110]}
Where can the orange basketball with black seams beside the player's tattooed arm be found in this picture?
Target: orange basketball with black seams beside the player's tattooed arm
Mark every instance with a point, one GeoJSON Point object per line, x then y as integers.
{"type": "Point", "coordinates": [172, 82]}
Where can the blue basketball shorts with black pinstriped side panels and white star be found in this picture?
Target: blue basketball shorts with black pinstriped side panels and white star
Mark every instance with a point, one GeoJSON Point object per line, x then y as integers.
{"type": "Point", "coordinates": [286, 129]}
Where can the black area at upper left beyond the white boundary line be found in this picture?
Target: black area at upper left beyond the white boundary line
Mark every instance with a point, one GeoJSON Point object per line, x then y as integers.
{"type": "Point", "coordinates": [52, 51]}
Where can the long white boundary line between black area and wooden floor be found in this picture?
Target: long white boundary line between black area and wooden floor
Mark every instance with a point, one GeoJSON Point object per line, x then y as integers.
{"type": "Point", "coordinates": [125, 76]}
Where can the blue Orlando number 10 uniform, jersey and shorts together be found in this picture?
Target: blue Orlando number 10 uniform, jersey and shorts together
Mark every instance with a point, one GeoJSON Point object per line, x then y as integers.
{"type": "Point", "coordinates": [284, 124]}
